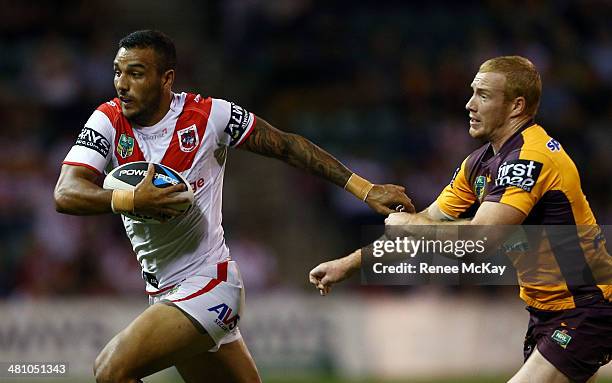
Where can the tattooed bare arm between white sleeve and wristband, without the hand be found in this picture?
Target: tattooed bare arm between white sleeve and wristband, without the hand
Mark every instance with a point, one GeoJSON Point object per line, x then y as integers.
{"type": "Point", "coordinates": [296, 151]}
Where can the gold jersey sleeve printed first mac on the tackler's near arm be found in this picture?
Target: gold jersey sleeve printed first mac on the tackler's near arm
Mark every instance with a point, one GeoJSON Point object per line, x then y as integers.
{"type": "Point", "coordinates": [521, 182]}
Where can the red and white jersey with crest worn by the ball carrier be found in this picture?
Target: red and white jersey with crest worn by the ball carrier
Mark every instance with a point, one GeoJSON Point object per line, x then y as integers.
{"type": "Point", "coordinates": [192, 139]}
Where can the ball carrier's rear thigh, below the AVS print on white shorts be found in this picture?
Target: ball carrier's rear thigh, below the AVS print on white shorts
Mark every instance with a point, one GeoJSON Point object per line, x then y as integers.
{"type": "Point", "coordinates": [231, 364]}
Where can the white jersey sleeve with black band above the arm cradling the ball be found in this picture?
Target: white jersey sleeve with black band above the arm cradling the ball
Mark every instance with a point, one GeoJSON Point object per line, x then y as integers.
{"type": "Point", "coordinates": [92, 148]}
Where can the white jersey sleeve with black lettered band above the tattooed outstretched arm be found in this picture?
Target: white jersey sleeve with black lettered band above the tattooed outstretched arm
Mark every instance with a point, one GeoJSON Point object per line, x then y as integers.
{"type": "Point", "coordinates": [232, 123]}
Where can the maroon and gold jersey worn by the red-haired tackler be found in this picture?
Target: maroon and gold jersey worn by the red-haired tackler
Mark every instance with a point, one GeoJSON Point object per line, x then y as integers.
{"type": "Point", "coordinates": [532, 173]}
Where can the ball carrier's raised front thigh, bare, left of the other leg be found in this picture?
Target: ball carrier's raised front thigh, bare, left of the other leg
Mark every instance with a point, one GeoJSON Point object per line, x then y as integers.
{"type": "Point", "coordinates": [155, 340]}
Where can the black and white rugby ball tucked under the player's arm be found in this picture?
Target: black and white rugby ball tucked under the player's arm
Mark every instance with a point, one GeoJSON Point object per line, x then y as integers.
{"type": "Point", "coordinates": [127, 176]}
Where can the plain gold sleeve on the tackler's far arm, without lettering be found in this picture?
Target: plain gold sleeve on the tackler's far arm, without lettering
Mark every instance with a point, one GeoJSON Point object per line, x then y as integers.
{"type": "Point", "coordinates": [457, 197]}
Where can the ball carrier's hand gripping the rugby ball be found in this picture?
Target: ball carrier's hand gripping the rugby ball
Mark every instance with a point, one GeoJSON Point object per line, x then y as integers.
{"type": "Point", "coordinates": [155, 202]}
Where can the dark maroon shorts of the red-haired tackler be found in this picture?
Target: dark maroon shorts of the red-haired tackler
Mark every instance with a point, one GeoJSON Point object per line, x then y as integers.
{"type": "Point", "coordinates": [576, 341]}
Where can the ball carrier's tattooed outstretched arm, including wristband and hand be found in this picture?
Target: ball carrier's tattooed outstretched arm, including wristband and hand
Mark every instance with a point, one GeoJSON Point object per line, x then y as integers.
{"type": "Point", "coordinates": [303, 154]}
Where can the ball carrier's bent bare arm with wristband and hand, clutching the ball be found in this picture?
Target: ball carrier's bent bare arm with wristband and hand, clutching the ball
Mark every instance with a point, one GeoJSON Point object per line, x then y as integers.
{"type": "Point", "coordinates": [77, 193]}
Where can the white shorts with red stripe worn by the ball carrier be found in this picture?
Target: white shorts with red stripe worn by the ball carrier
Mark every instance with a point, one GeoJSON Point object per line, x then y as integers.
{"type": "Point", "coordinates": [214, 298]}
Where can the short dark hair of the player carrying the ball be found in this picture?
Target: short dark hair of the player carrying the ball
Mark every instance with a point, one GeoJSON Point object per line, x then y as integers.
{"type": "Point", "coordinates": [156, 40]}
